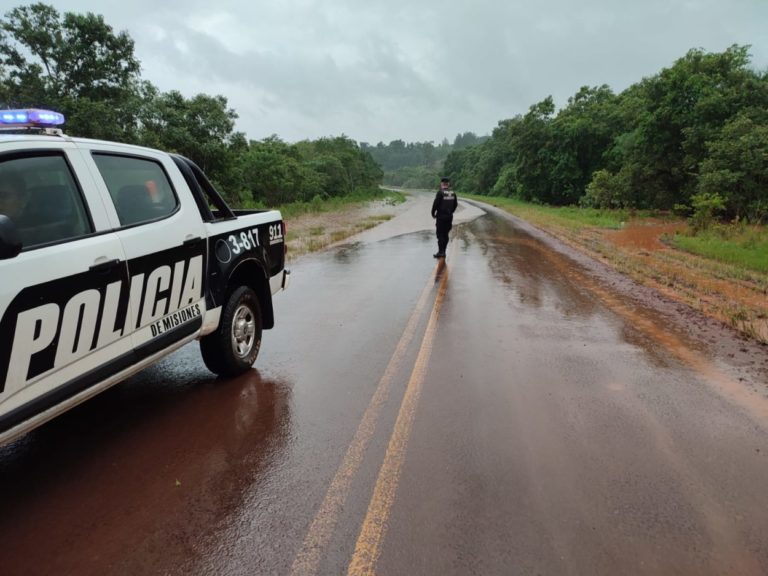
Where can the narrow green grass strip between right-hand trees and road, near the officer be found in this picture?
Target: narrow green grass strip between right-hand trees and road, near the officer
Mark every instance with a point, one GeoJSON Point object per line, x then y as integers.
{"type": "Point", "coordinates": [570, 217]}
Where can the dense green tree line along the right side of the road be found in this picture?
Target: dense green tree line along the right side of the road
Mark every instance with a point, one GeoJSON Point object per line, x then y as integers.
{"type": "Point", "coordinates": [691, 138]}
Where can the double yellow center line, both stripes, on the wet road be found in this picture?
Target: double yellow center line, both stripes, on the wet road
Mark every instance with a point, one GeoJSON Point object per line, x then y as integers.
{"type": "Point", "coordinates": [372, 533]}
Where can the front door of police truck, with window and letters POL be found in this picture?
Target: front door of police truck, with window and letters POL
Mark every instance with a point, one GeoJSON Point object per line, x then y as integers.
{"type": "Point", "coordinates": [63, 299]}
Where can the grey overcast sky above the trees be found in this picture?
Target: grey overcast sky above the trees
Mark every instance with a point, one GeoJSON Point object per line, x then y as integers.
{"type": "Point", "coordinates": [416, 70]}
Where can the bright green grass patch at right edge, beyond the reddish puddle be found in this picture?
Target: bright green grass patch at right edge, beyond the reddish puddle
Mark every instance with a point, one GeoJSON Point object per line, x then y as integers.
{"type": "Point", "coordinates": [741, 246]}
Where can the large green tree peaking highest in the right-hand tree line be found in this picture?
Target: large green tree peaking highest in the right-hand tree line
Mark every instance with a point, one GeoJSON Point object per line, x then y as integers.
{"type": "Point", "coordinates": [672, 115]}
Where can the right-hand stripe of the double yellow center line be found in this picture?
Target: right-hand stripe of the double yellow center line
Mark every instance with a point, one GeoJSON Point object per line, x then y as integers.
{"type": "Point", "coordinates": [374, 527]}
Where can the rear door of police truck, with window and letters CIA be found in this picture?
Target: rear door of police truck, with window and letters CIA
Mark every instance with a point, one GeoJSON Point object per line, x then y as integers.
{"type": "Point", "coordinates": [163, 237]}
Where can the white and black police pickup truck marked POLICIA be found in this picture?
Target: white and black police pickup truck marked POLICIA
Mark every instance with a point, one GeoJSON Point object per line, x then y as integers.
{"type": "Point", "coordinates": [111, 257]}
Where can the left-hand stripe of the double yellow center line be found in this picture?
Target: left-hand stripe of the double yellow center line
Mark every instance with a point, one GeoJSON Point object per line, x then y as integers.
{"type": "Point", "coordinates": [320, 531]}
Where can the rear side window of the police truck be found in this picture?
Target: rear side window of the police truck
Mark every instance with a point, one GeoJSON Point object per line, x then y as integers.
{"type": "Point", "coordinates": [139, 188]}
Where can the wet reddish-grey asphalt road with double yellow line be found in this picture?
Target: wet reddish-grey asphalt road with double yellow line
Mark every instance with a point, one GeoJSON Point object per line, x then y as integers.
{"type": "Point", "coordinates": [498, 413]}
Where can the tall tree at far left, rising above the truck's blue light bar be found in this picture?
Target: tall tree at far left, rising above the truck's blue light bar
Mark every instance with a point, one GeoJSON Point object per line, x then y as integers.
{"type": "Point", "coordinates": [74, 63]}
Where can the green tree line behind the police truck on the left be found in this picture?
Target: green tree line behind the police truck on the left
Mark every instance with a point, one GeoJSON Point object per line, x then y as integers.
{"type": "Point", "coordinates": [78, 65]}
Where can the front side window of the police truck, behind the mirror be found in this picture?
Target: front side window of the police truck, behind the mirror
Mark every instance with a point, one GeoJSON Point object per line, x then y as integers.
{"type": "Point", "coordinates": [40, 195]}
